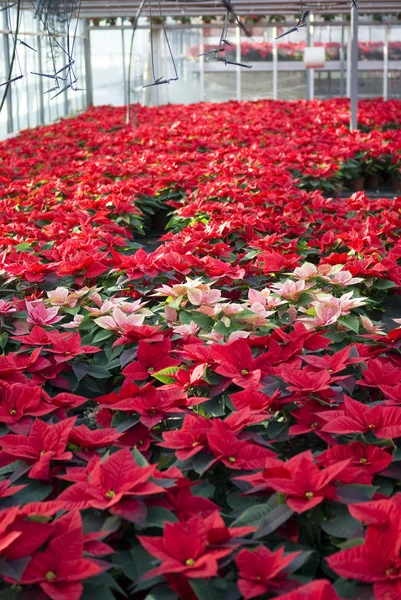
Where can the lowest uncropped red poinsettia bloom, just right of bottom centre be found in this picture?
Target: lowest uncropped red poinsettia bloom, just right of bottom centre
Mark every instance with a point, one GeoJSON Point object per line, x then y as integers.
{"type": "Point", "coordinates": [262, 571]}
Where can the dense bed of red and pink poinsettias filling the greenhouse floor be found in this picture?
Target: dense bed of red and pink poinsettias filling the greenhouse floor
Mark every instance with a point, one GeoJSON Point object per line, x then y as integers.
{"type": "Point", "coordinates": [219, 418]}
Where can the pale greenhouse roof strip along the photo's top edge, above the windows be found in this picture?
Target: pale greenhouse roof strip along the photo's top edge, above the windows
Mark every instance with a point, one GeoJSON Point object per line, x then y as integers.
{"type": "Point", "coordinates": [195, 8]}
